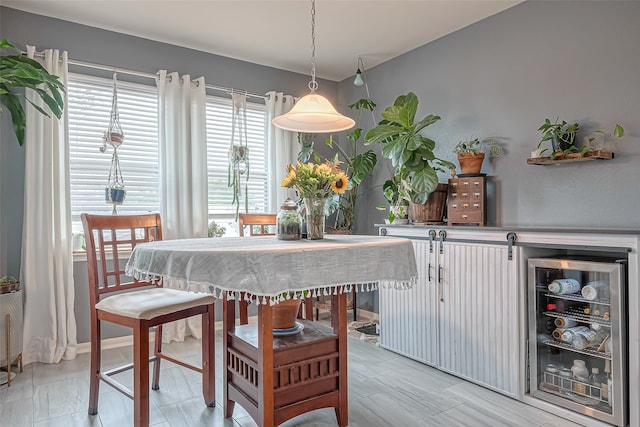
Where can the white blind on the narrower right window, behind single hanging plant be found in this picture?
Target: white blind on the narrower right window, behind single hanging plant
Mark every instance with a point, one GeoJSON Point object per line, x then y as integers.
{"type": "Point", "coordinates": [219, 123]}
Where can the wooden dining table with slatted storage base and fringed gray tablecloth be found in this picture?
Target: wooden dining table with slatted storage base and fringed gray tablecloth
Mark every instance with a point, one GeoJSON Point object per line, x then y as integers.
{"type": "Point", "coordinates": [276, 376]}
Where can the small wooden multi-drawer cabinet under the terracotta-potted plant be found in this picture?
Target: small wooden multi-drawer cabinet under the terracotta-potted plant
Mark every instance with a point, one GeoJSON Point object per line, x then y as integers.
{"type": "Point", "coordinates": [466, 201]}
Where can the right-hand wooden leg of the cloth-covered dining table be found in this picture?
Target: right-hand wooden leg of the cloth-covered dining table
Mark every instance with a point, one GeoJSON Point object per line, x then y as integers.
{"type": "Point", "coordinates": [339, 324]}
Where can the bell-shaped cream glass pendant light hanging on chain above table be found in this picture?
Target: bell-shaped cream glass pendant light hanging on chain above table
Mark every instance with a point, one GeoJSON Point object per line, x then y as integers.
{"type": "Point", "coordinates": [313, 113]}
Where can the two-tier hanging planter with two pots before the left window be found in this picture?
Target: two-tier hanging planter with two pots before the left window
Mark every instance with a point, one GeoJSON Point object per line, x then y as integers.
{"type": "Point", "coordinates": [114, 192]}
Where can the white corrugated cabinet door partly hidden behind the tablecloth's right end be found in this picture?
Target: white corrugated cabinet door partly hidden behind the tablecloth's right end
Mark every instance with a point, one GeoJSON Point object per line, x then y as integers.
{"type": "Point", "coordinates": [409, 318]}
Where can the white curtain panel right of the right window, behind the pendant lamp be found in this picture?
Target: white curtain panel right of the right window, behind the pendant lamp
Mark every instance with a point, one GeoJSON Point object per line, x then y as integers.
{"type": "Point", "coordinates": [282, 148]}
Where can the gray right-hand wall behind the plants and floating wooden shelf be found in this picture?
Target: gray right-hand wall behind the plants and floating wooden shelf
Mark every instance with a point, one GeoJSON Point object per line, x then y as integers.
{"type": "Point", "coordinates": [502, 77]}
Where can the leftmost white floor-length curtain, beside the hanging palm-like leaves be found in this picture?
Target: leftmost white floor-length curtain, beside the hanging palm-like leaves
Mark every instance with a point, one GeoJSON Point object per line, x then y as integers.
{"type": "Point", "coordinates": [47, 261]}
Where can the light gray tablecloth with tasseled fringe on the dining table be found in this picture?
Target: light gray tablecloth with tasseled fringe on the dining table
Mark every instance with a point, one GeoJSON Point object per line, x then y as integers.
{"type": "Point", "coordinates": [265, 267]}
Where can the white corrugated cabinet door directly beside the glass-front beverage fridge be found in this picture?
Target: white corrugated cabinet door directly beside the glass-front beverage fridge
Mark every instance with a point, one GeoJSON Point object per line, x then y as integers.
{"type": "Point", "coordinates": [478, 314]}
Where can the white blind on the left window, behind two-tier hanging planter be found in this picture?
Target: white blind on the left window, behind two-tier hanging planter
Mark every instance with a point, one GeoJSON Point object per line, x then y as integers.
{"type": "Point", "coordinates": [89, 110]}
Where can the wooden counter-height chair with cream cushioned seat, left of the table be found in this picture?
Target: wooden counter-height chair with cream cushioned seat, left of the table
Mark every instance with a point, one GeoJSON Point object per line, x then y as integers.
{"type": "Point", "coordinates": [139, 305]}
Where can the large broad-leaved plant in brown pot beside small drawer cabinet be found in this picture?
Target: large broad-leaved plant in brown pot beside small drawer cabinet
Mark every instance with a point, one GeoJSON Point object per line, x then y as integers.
{"type": "Point", "coordinates": [412, 156]}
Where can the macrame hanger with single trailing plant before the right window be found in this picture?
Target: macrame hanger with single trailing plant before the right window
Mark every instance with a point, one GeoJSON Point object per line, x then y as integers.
{"type": "Point", "coordinates": [238, 151]}
